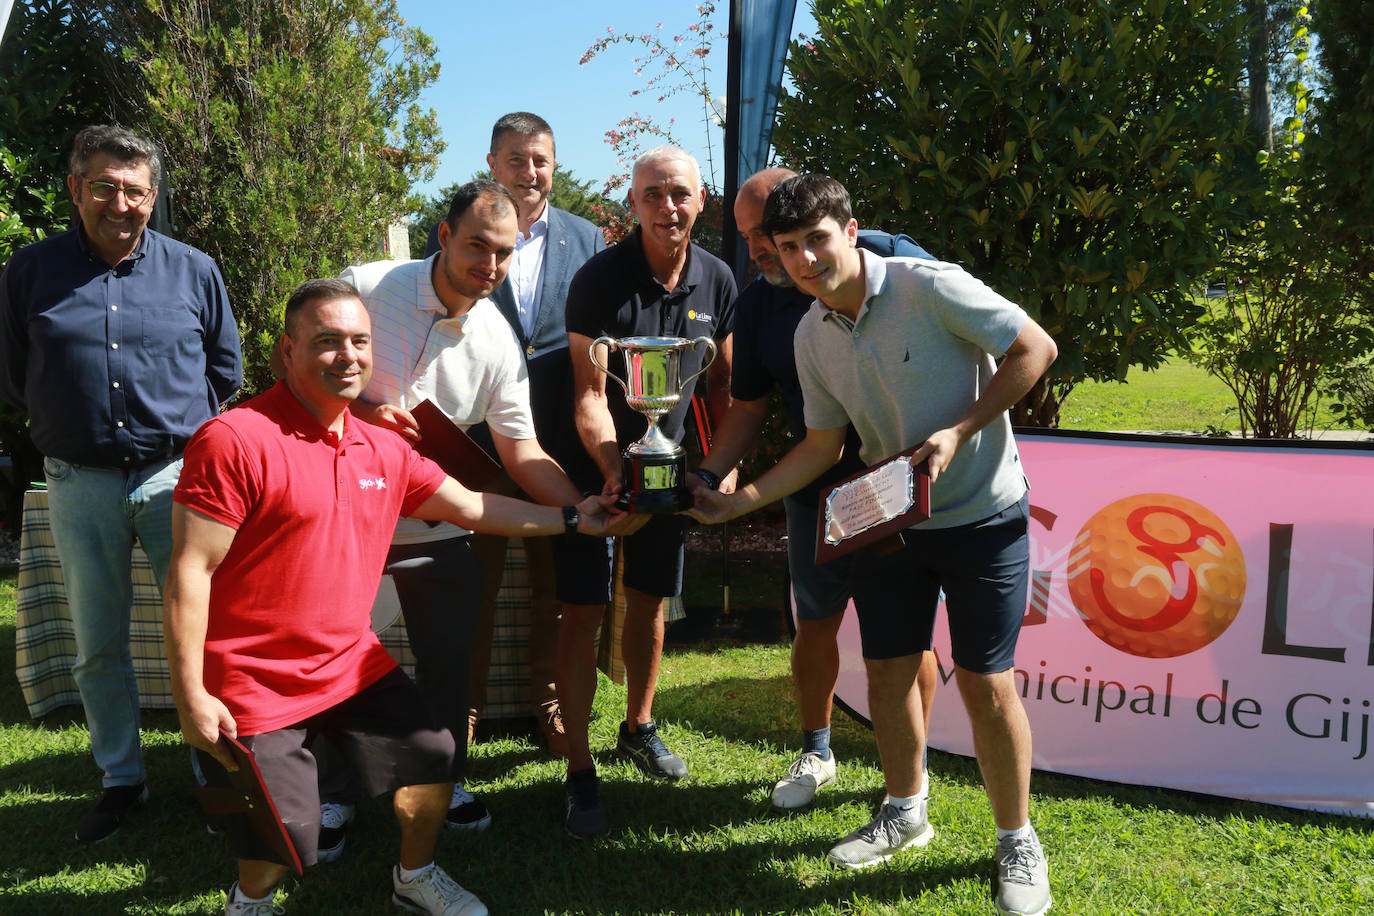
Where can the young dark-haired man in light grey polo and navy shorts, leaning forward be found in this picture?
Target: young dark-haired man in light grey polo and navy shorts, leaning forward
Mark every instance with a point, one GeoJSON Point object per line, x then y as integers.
{"type": "Point", "coordinates": [905, 350]}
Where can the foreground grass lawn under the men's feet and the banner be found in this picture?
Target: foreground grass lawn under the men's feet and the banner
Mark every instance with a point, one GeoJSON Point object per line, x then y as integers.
{"type": "Point", "coordinates": [708, 845]}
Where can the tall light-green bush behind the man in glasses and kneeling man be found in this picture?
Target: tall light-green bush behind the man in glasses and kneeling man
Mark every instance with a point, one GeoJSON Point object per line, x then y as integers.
{"type": "Point", "coordinates": [292, 138]}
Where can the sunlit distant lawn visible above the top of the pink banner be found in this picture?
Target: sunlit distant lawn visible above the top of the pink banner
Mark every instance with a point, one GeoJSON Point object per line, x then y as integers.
{"type": "Point", "coordinates": [1175, 398]}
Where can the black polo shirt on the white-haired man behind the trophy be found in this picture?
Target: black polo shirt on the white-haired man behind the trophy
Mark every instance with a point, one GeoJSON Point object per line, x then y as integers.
{"type": "Point", "coordinates": [615, 295]}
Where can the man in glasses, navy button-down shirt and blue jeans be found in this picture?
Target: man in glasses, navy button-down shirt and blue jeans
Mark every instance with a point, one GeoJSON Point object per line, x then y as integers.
{"type": "Point", "coordinates": [119, 344]}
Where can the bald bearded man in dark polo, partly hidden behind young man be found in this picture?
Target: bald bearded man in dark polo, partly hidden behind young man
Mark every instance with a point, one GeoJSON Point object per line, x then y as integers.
{"type": "Point", "coordinates": [766, 318]}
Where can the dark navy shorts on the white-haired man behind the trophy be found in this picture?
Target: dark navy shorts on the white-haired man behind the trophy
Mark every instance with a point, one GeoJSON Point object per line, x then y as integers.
{"type": "Point", "coordinates": [653, 562]}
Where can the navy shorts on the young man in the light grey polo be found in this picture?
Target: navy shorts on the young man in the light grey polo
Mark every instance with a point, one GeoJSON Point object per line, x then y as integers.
{"type": "Point", "coordinates": [984, 571]}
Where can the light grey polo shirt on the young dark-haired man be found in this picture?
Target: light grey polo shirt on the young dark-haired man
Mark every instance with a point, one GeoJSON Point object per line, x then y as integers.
{"type": "Point", "coordinates": [914, 363]}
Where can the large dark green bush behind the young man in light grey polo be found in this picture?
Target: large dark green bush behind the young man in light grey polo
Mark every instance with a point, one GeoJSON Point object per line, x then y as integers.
{"type": "Point", "coordinates": [1078, 157]}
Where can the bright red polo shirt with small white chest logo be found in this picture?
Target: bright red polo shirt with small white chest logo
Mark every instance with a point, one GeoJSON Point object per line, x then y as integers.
{"type": "Point", "coordinates": [291, 605]}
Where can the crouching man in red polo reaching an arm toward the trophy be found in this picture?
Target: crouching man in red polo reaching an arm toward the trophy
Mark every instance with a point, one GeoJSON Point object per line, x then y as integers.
{"type": "Point", "coordinates": [284, 517]}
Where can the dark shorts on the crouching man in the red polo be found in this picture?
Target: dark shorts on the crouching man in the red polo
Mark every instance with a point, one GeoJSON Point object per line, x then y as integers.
{"type": "Point", "coordinates": [387, 735]}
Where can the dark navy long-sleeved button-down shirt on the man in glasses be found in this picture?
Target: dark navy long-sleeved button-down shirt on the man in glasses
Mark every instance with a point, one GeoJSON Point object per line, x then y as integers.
{"type": "Point", "coordinates": [116, 367]}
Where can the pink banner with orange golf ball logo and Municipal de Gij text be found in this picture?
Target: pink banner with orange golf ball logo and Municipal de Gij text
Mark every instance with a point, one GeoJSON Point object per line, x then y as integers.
{"type": "Point", "coordinates": [1202, 619]}
